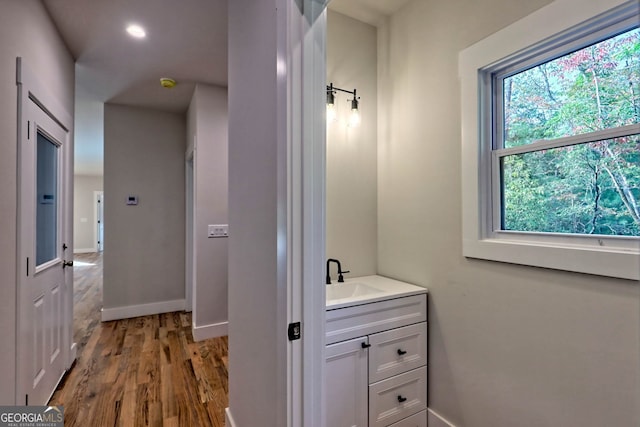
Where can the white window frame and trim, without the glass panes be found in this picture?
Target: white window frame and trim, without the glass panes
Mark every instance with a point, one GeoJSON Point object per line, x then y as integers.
{"type": "Point", "coordinates": [554, 30]}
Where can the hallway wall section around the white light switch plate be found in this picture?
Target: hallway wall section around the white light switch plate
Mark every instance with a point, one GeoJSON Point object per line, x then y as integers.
{"type": "Point", "coordinates": [207, 124]}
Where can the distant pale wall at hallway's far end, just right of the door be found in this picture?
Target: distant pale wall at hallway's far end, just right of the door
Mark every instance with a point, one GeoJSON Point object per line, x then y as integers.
{"type": "Point", "coordinates": [84, 226]}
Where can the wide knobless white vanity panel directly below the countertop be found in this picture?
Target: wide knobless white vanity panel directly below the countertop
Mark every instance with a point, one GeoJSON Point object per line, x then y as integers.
{"type": "Point", "coordinates": [351, 322]}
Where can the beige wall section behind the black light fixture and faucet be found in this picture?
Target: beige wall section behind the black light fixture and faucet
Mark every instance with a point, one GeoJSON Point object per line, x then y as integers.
{"type": "Point", "coordinates": [352, 151]}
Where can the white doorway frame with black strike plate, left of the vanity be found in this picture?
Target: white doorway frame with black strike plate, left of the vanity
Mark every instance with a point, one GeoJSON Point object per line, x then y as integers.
{"type": "Point", "coordinates": [307, 204]}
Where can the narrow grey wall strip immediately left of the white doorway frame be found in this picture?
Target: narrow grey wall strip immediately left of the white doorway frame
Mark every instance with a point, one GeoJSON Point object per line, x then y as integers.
{"type": "Point", "coordinates": [257, 359]}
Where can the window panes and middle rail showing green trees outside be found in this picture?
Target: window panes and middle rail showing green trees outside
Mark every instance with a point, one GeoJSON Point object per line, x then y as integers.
{"type": "Point", "coordinates": [565, 149]}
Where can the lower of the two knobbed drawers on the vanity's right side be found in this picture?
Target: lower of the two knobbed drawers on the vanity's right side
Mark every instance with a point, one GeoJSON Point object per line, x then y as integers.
{"type": "Point", "coordinates": [398, 397]}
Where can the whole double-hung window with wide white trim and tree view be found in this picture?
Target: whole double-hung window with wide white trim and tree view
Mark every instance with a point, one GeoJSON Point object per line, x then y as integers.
{"type": "Point", "coordinates": [551, 147]}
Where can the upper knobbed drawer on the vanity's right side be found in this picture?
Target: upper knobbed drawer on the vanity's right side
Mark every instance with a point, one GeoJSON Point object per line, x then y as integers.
{"type": "Point", "coordinates": [396, 351]}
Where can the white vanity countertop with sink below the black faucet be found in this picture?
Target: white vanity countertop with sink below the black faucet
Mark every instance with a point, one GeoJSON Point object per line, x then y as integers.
{"type": "Point", "coordinates": [377, 288]}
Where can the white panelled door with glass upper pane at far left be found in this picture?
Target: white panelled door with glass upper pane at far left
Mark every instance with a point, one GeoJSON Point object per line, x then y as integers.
{"type": "Point", "coordinates": [44, 283]}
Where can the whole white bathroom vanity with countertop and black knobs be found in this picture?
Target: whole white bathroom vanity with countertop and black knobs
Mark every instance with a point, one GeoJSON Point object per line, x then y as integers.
{"type": "Point", "coordinates": [376, 354]}
